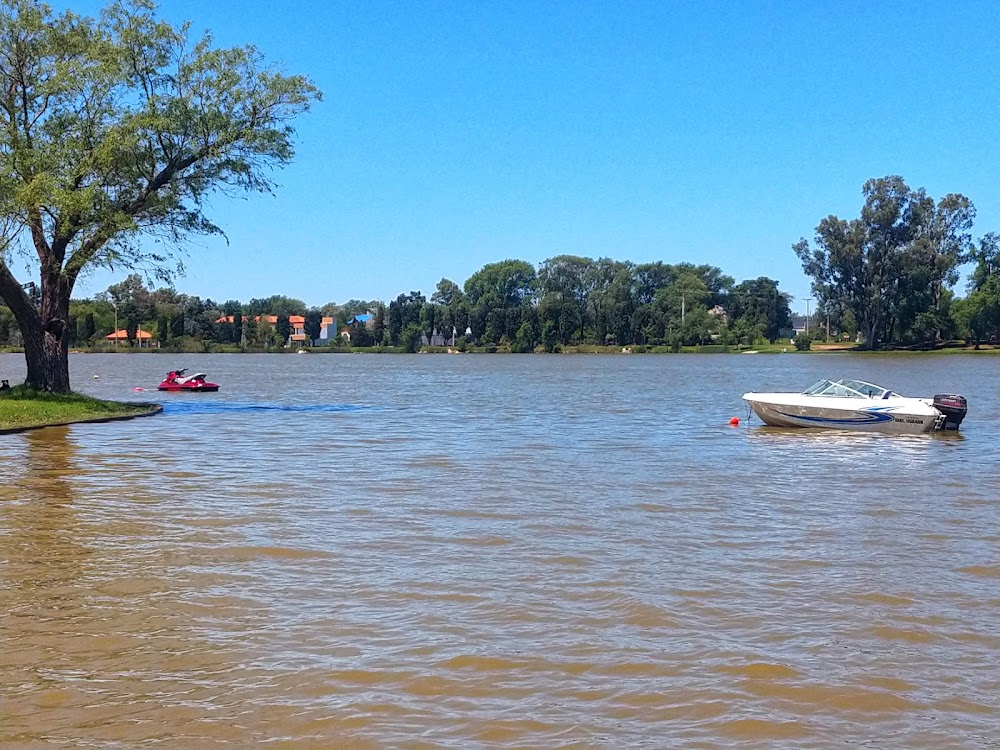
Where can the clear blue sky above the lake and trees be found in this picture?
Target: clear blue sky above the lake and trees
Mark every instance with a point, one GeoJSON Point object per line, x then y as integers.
{"type": "Point", "coordinates": [455, 134]}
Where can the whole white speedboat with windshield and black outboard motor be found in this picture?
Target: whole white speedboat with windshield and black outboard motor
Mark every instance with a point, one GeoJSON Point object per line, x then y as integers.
{"type": "Point", "coordinates": [856, 405]}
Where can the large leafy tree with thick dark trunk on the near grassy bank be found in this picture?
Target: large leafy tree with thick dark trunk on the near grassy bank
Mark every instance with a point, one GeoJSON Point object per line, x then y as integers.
{"type": "Point", "coordinates": [113, 131]}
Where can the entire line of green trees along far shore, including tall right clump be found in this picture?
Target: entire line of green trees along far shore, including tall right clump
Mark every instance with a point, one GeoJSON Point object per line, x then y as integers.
{"type": "Point", "coordinates": [886, 277]}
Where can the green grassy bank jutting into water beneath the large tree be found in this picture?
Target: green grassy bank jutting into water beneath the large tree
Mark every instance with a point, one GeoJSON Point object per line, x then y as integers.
{"type": "Point", "coordinates": [22, 408]}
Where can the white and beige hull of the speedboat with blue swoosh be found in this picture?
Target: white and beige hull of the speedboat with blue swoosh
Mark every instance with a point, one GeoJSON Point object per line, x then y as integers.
{"type": "Point", "coordinates": [895, 418]}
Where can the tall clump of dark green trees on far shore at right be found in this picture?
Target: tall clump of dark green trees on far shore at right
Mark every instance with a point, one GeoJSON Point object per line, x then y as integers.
{"type": "Point", "coordinates": [890, 273]}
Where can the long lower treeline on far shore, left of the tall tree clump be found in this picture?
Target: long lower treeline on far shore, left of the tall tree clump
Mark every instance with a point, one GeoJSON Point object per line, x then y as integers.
{"type": "Point", "coordinates": [566, 300]}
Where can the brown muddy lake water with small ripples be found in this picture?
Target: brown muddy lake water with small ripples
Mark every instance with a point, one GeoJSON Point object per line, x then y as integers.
{"type": "Point", "coordinates": [499, 552]}
